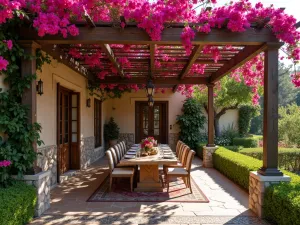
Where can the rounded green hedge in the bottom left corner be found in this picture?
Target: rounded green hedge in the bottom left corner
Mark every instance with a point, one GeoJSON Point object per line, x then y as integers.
{"type": "Point", "coordinates": [17, 204]}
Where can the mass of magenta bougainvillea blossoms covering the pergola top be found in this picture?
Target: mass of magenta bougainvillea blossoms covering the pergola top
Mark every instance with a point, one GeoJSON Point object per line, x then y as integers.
{"type": "Point", "coordinates": [56, 17]}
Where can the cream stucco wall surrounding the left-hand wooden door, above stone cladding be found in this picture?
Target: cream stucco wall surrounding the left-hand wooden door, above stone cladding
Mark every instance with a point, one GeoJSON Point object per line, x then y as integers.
{"type": "Point", "coordinates": [46, 104]}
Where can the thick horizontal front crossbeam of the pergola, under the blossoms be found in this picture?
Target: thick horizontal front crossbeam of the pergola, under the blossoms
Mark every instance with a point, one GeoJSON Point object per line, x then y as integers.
{"type": "Point", "coordinates": [137, 36]}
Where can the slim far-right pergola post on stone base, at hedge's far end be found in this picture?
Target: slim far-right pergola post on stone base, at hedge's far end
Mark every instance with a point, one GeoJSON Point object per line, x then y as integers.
{"type": "Point", "coordinates": [210, 148]}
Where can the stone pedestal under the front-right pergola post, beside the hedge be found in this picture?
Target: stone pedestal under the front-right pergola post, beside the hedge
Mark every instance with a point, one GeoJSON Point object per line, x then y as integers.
{"type": "Point", "coordinates": [257, 185]}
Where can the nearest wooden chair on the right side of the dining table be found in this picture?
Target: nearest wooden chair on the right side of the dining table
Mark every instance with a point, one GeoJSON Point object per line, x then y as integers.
{"type": "Point", "coordinates": [185, 173]}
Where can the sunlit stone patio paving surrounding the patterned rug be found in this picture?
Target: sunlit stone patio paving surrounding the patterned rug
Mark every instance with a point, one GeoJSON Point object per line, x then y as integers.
{"type": "Point", "coordinates": [228, 203]}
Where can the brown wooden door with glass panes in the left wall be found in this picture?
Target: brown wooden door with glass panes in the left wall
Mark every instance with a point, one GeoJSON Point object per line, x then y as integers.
{"type": "Point", "coordinates": [68, 130]}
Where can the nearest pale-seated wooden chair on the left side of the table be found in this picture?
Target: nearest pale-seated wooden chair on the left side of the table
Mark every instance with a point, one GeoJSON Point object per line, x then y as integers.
{"type": "Point", "coordinates": [119, 172]}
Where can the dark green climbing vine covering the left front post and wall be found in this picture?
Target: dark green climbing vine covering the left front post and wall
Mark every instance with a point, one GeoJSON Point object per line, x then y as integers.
{"type": "Point", "coordinates": [17, 135]}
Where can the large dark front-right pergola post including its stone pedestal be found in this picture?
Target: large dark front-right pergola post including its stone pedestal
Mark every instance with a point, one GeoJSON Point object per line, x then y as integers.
{"type": "Point", "coordinates": [269, 172]}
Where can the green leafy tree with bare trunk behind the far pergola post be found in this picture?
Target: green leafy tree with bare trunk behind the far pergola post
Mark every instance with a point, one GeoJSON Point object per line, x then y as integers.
{"type": "Point", "coordinates": [230, 95]}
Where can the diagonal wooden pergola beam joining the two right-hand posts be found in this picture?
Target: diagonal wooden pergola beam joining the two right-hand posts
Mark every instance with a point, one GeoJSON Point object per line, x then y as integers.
{"type": "Point", "coordinates": [246, 54]}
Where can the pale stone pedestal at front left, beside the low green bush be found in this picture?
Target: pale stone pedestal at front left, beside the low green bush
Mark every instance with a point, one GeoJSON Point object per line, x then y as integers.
{"type": "Point", "coordinates": [41, 182]}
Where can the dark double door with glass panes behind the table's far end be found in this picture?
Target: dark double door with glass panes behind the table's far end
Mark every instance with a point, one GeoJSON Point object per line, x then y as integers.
{"type": "Point", "coordinates": [152, 121]}
